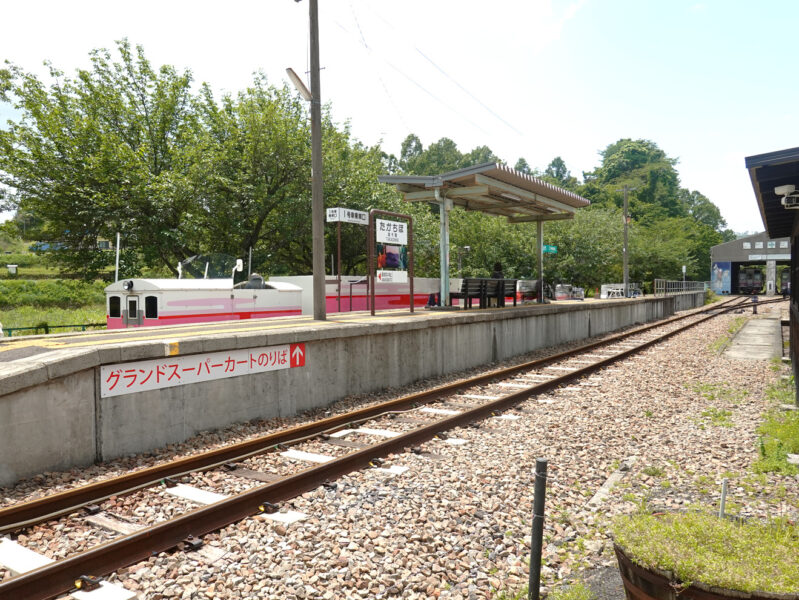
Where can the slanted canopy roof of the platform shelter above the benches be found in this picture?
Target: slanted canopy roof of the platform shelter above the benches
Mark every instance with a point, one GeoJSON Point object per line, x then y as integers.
{"type": "Point", "coordinates": [495, 189]}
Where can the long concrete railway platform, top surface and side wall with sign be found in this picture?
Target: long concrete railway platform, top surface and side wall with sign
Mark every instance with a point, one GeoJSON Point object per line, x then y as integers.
{"type": "Point", "coordinates": [115, 393]}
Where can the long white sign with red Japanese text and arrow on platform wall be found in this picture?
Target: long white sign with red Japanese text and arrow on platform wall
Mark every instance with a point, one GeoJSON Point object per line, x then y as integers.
{"type": "Point", "coordinates": [129, 378]}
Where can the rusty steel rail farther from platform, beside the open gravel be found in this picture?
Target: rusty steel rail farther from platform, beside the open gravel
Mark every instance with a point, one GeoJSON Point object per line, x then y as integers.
{"type": "Point", "coordinates": [50, 580]}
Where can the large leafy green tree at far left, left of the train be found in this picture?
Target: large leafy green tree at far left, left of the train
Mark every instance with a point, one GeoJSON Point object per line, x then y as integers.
{"type": "Point", "coordinates": [101, 153]}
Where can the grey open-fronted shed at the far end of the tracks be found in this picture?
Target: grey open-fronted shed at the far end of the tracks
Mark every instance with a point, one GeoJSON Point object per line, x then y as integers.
{"type": "Point", "coordinates": [730, 260]}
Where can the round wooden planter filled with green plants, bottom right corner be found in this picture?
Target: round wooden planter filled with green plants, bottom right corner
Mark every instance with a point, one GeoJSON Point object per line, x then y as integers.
{"type": "Point", "coordinates": [692, 555]}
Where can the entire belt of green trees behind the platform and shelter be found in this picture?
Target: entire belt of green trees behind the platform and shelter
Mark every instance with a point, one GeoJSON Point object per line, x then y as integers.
{"type": "Point", "coordinates": [123, 146]}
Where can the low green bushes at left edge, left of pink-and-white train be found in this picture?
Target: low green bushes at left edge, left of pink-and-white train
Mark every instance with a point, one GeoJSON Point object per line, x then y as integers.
{"type": "Point", "coordinates": [60, 293]}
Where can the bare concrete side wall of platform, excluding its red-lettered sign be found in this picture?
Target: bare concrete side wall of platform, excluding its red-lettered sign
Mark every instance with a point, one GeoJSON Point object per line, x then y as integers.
{"type": "Point", "coordinates": [52, 416]}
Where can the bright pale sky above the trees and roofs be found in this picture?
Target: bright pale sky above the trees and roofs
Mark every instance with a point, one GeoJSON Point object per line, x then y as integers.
{"type": "Point", "coordinates": [710, 81]}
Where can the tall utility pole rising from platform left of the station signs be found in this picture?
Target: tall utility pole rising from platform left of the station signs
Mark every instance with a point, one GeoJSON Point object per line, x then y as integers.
{"type": "Point", "coordinates": [317, 200]}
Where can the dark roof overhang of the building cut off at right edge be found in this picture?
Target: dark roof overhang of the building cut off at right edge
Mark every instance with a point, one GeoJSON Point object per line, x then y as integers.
{"type": "Point", "coordinates": [768, 171]}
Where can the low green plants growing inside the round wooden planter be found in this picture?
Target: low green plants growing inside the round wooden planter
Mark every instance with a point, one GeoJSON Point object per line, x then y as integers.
{"type": "Point", "coordinates": [703, 548]}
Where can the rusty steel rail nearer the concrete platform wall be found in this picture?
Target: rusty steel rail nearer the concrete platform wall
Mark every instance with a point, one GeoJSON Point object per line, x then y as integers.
{"type": "Point", "coordinates": [35, 511]}
